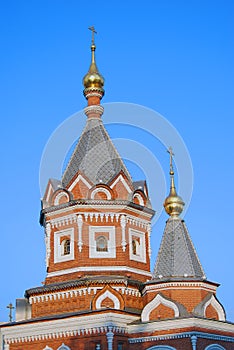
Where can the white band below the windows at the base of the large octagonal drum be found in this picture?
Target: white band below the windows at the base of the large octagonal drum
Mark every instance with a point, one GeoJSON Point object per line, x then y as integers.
{"type": "Point", "coordinates": [99, 268]}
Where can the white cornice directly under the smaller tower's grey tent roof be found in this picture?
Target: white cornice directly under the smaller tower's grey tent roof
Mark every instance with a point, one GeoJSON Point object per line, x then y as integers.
{"type": "Point", "coordinates": [179, 285]}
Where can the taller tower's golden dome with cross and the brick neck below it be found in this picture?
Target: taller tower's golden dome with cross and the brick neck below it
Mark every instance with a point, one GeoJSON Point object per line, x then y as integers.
{"type": "Point", "coordinates": [93, 83]}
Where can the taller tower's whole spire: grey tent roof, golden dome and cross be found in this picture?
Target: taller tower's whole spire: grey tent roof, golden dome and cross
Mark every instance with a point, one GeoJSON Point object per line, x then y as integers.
{"type": "Point", "coordinates": [95, 156]}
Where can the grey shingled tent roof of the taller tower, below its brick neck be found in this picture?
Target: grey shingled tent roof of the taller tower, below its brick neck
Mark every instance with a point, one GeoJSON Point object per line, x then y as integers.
{"type": "Point", "coordinates": [95, 156]}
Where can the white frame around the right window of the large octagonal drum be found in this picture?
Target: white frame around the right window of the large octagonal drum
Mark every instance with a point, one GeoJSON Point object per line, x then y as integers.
{"type": "Point", "coordinates": [140, 253]}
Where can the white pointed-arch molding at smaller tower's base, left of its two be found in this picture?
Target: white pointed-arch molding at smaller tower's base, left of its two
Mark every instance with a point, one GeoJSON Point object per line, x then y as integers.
{"type": "Point", "coordinates": [155, 303]}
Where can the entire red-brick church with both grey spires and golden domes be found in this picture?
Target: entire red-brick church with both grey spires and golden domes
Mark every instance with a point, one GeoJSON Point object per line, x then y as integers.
{"type": "Point", "coordinates": [99, 292]}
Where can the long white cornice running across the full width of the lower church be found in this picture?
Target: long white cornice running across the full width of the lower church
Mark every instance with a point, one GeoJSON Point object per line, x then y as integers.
{"type": "Point", "coordinates": [119, 322]}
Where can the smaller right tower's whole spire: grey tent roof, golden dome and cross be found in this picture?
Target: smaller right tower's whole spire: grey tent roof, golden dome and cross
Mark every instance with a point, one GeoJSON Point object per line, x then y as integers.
{"type": "Point", "coordinates": [177, 257]}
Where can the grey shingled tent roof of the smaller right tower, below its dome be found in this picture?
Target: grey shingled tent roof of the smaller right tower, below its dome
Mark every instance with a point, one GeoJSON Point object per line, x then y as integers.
{"type": "Point", "coordinates": [177, 257]}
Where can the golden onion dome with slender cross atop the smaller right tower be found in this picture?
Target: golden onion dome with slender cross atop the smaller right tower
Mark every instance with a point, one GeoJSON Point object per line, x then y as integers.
{"type": "Point", "coordinates": [173, 203]}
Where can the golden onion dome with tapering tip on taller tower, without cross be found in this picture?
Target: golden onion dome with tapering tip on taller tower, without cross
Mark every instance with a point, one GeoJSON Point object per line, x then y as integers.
{"type": "Point", "coordinates": [93, 79]}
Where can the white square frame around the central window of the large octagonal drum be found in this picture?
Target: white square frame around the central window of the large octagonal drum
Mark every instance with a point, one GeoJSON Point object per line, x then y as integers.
{"type": "Point", "coordinates": [111, 248]}
